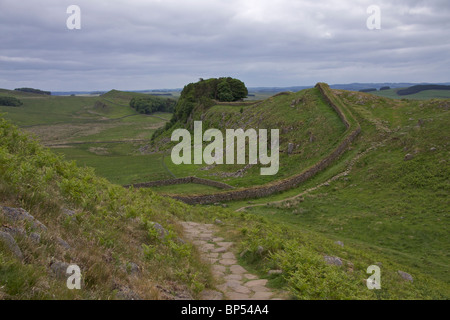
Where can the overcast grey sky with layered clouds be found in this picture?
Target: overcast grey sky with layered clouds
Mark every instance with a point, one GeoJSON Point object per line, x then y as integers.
{"type": "Point", "coordinates": [149, 44]}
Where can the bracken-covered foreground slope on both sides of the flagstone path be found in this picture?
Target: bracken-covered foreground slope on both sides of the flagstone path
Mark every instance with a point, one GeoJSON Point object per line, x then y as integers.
{"type": "Point", "coordinates": [112, 228]}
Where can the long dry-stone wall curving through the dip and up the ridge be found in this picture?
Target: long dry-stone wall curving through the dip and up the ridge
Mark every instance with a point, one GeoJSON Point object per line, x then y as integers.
{"type": "Point", "coordinates": [353, 129]}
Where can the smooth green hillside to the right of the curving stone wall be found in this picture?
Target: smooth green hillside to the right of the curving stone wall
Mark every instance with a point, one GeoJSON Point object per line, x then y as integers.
{"type": "Point", "coordinates": [390, 206]}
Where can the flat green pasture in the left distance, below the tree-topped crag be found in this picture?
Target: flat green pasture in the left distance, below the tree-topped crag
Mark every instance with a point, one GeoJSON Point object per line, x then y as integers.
{"type": "Point", "coordinates": [110, 138]}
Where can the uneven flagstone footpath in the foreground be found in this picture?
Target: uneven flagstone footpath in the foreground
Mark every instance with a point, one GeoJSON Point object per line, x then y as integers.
{"type": "Point", "coordinates": [236, 283]}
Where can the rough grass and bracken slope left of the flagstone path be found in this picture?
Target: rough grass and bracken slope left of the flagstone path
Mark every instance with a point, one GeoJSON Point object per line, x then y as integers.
{"type": "Point", "coordinates": [112, 228]}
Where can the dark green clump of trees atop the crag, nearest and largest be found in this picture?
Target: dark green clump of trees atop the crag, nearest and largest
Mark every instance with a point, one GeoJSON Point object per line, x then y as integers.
{"type": "Point", "coordinates": [202, 94]}
